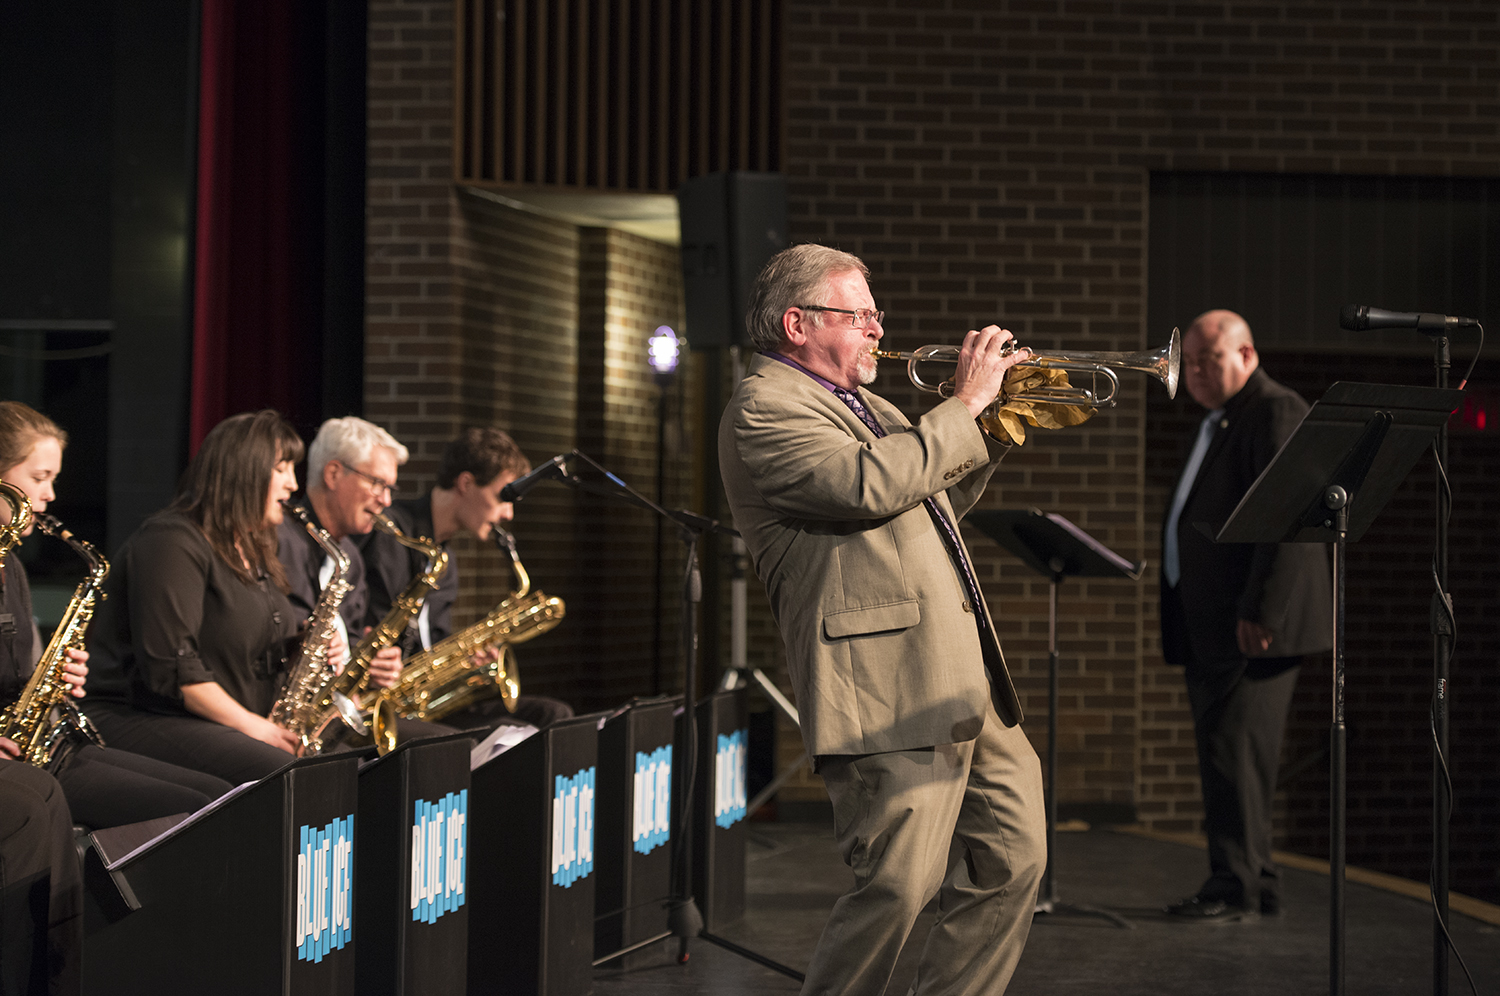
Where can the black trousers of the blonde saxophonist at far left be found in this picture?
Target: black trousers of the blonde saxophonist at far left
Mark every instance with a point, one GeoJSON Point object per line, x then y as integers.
{"type": "Point", "coordinates": [112, 788]}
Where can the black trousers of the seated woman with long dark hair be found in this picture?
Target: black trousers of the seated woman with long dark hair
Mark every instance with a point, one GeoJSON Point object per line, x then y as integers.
{"type": "Point", "coordinates": [188, 742]}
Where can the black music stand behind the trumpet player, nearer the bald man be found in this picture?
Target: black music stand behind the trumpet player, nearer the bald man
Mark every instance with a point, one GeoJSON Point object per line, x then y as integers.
{"type": "Point", "coordinates": [1055, 548]}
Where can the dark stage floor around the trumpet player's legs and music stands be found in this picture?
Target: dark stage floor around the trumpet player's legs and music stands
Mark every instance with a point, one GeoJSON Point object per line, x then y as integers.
{"type": "Point", "coordinates": [796, 877]}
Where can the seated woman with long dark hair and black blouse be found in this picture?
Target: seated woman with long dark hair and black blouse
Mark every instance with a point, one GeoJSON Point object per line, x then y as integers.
{"type": "Point", "coordinates": [191, 646]}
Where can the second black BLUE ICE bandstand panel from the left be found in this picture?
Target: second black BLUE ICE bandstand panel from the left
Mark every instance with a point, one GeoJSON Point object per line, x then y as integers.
{"type": "Point", "coordinates": [412, 875]}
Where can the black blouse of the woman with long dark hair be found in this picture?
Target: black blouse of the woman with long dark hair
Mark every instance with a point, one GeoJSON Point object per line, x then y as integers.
{"type": "Point", "coordinates": [178, 614]}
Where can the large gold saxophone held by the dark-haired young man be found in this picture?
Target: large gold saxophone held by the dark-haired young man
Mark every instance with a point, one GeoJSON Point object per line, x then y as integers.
{"type": "Point", "coordinates": [446, 679]}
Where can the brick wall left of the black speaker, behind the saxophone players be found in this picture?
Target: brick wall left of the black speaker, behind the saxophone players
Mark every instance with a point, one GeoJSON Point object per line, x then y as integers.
{"type": "Point", "coordinates": [479, 313]}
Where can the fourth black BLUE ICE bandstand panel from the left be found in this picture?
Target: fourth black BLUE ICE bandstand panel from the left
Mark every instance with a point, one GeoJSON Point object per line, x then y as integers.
{"type": "Point", "coordinates": [634, 851]}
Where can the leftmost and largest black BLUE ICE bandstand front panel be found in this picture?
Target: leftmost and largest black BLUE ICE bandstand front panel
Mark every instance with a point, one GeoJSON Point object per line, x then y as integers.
{"type": "Point", "coordinates": [220, 908]}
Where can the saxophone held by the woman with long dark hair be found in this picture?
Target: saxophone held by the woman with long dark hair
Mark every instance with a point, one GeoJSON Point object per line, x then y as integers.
{"type": "Point", "coordinates": [308, 695]}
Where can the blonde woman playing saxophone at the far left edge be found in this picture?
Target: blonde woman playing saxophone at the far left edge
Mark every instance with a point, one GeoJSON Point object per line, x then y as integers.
{"type": "Point", "coordinates": [104, 787]}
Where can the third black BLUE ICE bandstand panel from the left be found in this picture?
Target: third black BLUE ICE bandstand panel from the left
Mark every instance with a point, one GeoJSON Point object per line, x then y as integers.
{"type": "Point", "coordinates": [532, 865]}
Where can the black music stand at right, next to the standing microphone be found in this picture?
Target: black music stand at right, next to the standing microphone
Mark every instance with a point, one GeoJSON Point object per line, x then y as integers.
{"type": "Point", "coordinates": [1327, 485]}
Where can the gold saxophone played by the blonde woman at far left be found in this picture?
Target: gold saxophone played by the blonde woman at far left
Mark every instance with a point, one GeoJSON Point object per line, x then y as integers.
{"type": "Point", "coordinates": [31, 719]}
